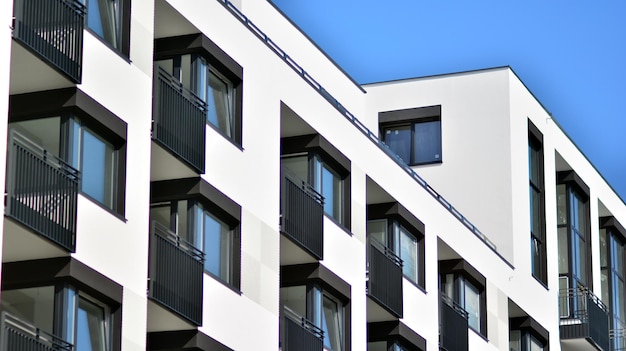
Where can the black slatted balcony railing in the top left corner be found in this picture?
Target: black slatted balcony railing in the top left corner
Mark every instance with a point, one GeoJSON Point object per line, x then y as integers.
{"type": "Point", "coordinates": [52, 29]}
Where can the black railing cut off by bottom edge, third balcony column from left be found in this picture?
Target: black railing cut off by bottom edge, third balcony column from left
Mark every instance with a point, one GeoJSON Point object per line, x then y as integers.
{"type": "Point", "coordinates": [301, 334]}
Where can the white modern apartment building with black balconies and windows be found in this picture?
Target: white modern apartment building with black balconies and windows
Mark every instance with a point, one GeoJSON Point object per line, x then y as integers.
{"type": "Point", "coordinates": [198, 175]}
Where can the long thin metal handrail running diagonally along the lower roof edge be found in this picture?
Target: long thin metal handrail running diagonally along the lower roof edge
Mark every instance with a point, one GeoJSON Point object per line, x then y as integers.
{"type": "Point", "coordinates": [360, 126]}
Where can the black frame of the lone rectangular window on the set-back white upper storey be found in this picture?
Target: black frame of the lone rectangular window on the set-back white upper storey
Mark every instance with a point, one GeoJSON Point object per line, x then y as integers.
{"type": "Point", "coordinates": [412, 117]}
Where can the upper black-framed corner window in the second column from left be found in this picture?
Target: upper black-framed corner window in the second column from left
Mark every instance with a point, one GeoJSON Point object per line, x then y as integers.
{"type": "Point", "coordinates": [211, 75]}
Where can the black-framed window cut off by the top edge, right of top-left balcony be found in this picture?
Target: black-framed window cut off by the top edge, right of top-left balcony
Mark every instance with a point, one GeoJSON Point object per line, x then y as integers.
{"type": "Point", "coordinates": [110, 20]}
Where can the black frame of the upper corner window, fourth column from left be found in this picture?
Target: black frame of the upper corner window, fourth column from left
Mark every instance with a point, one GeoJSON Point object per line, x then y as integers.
{"type": "Point", "coordinates": [395, 213]}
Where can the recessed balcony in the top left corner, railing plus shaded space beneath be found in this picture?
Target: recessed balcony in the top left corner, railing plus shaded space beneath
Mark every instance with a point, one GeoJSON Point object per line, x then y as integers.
{"type": "Point", "coordinates": [51, 31]}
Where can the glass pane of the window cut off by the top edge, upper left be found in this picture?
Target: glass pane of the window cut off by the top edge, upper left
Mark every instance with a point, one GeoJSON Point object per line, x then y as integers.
{"type": "Point", "coordinates": [104, 19]}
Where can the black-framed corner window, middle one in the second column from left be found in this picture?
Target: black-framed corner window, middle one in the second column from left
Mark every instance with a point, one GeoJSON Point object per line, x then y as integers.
{"type": "Point", "coordinates": [208, 220]}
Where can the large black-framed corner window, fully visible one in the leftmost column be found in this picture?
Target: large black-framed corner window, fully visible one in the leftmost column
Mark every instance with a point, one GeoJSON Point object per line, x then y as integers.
{"type": "Point", "coordinates": [94, 142]}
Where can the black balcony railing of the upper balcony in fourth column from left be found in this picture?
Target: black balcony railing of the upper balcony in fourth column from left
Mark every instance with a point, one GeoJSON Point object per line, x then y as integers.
{"type": "Point", "coordinates": [385, 277]}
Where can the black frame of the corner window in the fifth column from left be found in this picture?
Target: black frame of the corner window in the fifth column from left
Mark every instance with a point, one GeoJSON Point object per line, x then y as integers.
{"type": "Point", "coordinates": [463, 272]}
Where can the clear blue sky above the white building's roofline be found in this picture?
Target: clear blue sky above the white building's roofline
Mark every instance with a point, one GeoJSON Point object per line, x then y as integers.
{"type": "Point", "coordinates": [570, 54]}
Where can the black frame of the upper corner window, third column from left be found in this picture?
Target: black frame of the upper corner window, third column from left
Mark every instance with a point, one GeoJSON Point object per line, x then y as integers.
{"type": "Point", "coordinates": [316, 147]}
